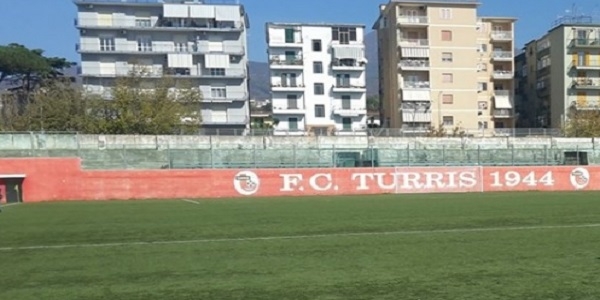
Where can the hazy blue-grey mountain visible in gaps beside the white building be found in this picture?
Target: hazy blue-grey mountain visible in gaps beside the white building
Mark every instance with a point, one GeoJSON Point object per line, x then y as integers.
{"type": "Point", "coordinates": [259, 72]}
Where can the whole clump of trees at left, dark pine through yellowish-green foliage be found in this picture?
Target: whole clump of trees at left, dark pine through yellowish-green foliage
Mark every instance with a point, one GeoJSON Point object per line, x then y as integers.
{"type": "Point", "coordinates": [46, 101]}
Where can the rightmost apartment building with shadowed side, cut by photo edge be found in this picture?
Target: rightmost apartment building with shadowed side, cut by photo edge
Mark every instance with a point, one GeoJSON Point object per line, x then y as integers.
{"type": "Point", "coordinates": [562, 72]}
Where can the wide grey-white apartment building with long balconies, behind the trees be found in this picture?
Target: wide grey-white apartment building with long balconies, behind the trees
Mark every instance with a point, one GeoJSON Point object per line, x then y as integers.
{"type": "Point", "coordinates": [197, 41]}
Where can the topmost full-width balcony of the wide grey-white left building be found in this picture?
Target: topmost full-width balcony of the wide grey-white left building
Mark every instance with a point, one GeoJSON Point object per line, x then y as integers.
{"type": "Point", "coordinates": [164, 24]}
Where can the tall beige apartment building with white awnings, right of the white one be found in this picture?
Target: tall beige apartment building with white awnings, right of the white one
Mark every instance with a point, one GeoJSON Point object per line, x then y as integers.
{"type": "Point", "coordinates": [441, 64]}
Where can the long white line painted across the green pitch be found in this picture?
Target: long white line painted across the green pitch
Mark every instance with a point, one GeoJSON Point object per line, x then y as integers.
{"type": "Point", "coordinates": [296, 237]}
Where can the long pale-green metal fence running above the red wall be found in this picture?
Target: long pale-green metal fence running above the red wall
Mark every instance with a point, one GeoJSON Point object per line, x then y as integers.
{"type": "Point", "coordinates": [332, 156]}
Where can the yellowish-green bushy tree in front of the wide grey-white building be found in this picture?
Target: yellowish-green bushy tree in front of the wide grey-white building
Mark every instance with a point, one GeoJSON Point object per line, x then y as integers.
{"type": "Point", "coordinates": [141, 105]}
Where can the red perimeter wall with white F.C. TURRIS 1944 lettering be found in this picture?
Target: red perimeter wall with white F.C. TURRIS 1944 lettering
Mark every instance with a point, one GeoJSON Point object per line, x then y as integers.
{"type": "Point", "coordinates": [63, 179]}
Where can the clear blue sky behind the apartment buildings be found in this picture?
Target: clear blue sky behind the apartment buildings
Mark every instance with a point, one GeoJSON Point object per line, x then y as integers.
{"type": "Point", "coordinates": [48, 24]}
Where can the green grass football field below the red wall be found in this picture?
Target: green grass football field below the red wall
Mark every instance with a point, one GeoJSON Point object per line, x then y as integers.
{"type": "Point", "coordinates": [460, 246]}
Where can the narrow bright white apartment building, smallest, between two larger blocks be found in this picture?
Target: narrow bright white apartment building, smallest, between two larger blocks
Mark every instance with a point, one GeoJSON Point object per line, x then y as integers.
{"type": "Point", "coordinates": [318, 79]}
